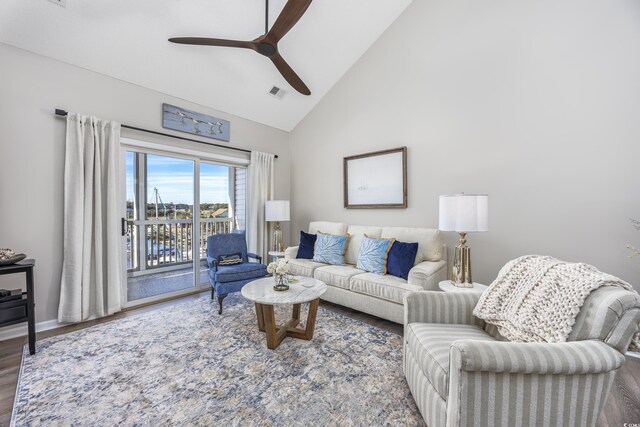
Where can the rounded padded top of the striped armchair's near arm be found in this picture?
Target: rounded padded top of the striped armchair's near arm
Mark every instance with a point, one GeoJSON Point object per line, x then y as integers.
{"type": "Point", "coordinates": [568, 358]}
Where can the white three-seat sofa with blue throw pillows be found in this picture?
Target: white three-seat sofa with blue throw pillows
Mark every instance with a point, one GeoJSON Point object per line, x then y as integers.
{"type": "Point", "coordinates": [381, 296]}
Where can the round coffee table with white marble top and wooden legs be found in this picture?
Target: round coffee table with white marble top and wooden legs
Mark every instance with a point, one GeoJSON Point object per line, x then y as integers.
{"type": "Point", "coordinates": [304, 290]}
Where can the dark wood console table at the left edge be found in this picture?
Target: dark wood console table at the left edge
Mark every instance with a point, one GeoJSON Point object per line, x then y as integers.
{"type": "Point", "coordinates": [22, 310]}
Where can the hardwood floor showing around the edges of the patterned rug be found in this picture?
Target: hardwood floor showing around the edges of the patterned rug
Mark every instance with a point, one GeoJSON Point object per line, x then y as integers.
{"type": "Point", "coordinates": [622, 405]}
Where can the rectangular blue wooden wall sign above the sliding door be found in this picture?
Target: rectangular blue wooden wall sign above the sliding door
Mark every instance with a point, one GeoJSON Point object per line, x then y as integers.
{"type": "Point", "coordinates": [182, 120]}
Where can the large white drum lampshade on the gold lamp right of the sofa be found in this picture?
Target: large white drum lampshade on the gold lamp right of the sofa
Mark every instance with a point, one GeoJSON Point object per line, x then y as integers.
{"type": "Point", "coordinates": [464, 213]}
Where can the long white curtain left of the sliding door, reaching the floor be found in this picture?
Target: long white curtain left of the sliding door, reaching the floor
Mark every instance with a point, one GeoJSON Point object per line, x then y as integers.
{"type": "Point", "coordinates": [92, 271]}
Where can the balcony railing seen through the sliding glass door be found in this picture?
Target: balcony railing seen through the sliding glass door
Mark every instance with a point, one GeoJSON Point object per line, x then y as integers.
{"type": "Point", "coordinates": [154, 244]}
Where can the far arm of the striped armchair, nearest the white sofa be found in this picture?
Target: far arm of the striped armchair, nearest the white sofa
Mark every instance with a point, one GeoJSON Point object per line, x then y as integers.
{"type": "Point", "coordinates": [441, 307]}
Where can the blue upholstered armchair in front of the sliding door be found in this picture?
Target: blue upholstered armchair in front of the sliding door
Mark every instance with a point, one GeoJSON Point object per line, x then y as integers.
{"type": "Point", "coordinates": [226, 279]}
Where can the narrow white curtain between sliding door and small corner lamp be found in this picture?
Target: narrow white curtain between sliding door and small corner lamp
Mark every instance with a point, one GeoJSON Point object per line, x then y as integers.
{"type": "Point", "coordinates": [259, 190]}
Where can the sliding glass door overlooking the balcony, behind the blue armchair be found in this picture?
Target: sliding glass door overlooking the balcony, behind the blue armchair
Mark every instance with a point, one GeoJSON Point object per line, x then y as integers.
{"type": "Point", "coordinates": [172, 205]}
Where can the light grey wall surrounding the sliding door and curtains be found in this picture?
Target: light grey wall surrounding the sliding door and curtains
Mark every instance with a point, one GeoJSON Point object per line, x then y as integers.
{"type": "Point", "coordinates": [32, 151]}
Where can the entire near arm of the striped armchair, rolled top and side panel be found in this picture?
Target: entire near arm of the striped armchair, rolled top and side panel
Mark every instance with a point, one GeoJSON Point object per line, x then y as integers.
{"type": "Point", "coordinates": [523, 381]}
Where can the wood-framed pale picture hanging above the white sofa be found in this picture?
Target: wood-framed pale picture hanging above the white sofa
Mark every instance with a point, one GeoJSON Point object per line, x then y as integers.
{"type": "Point", "coordinates": [376, 180]}
